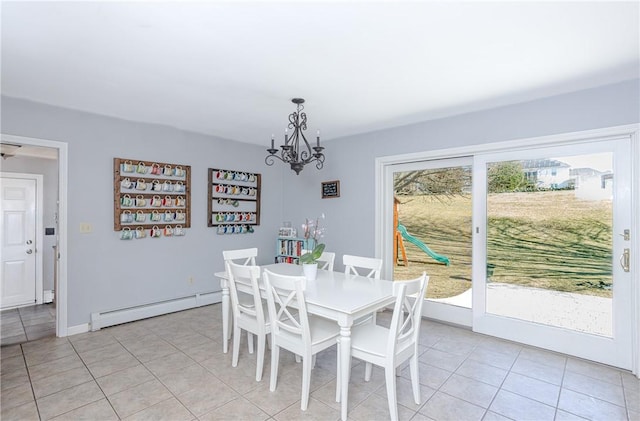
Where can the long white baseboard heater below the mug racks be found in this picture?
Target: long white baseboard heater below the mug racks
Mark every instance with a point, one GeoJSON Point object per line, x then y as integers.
{"type": "Point", "coordinates": [130, 314]}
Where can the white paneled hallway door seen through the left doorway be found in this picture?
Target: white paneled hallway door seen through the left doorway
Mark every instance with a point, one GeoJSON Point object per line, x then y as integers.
{"type": "Point", "coordinates": [18, 232]}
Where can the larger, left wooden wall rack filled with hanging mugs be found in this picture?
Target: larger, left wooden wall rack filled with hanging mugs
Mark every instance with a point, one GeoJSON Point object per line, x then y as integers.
{"type": "Point", "coordinates": [148, 194]}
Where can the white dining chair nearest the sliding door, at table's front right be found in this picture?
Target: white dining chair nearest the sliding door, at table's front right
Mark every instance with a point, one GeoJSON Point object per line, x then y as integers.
{"type": "Point", "coordinates": [391, 347]}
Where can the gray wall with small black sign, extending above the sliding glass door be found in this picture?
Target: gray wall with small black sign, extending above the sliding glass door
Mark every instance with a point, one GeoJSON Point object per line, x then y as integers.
{"type": "Point", "coordinates": [350, 219]}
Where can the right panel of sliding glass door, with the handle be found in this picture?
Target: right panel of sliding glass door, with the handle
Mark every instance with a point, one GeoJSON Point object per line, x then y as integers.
{"type": "Point", "coordinates": [551, 233]}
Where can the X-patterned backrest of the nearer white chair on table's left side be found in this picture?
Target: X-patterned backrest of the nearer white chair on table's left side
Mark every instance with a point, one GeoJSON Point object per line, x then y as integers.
{"type": "Point", "coordinates": [287, 308]}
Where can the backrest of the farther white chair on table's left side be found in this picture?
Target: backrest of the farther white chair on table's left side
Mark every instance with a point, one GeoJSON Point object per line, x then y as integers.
{"type": "Point", "coordinates": [249, 276]}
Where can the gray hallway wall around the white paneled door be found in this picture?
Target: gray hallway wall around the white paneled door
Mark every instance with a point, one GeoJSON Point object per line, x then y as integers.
{"type": "Point", "coordinates": [49, 170]}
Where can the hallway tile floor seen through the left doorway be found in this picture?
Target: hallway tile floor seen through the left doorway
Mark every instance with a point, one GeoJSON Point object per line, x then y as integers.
{"type": "Point", "coordinates": [24, 324]}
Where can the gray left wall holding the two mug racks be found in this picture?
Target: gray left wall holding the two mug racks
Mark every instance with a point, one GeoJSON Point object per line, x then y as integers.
{"type": "Point", "coordinates": [106, 273]}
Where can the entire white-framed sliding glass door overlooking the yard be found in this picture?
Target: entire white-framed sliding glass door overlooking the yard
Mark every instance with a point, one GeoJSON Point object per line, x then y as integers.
{"type": "Point", "coordinates": [527, 244]}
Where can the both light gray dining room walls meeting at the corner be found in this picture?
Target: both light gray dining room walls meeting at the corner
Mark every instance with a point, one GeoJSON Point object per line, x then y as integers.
{"type": "Point", "coordinates": [106, 273]}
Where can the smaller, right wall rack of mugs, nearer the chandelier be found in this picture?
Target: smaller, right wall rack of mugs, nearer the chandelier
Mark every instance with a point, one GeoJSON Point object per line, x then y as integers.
{"type": "Point", "coordinates": [234, 201]}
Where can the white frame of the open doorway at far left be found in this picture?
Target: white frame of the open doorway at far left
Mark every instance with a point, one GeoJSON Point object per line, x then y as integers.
{"type": "Point", "coordinates": [61, 293]}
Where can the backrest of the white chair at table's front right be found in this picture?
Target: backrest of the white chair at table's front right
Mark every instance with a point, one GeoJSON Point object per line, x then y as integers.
{"type": "Point", "coordinates": [407, 313]}
